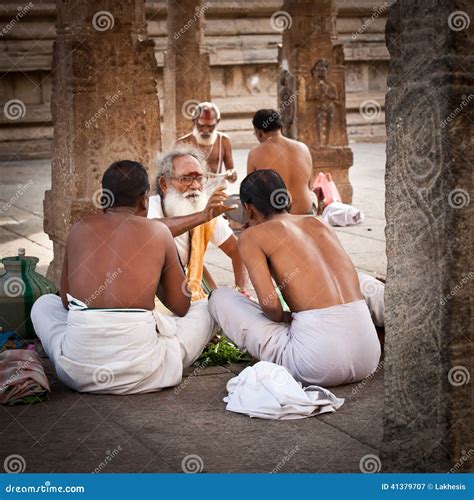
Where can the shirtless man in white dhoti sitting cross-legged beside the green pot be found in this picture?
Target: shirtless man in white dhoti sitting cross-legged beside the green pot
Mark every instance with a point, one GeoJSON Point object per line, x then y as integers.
{"type": "Point", "coordinates": [103, 334]}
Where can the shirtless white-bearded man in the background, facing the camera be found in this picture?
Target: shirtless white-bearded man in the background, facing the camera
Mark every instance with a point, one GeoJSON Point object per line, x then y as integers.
{"type": "Point", "coordinates": [215, 146]}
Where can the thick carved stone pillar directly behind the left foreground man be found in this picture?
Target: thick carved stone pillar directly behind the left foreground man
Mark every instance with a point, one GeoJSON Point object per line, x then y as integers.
{"type": "Point", "coordinates": [104, 107]}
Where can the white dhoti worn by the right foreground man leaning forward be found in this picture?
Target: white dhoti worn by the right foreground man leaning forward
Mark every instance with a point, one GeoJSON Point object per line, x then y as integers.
{"type": "Point", "coordinates": [330, 346]}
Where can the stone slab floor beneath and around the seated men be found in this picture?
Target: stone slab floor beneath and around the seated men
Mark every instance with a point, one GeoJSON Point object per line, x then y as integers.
{"type": "Point", "coordinates": [171, 430]}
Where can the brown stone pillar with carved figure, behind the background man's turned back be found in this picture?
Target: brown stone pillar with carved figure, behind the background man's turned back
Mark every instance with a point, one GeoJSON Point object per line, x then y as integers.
{"type": "Point", "coordinates": [315, 62]}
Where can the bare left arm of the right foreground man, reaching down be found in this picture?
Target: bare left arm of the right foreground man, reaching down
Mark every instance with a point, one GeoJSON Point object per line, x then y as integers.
{"type": "Point", "coordinates": [256, 262]}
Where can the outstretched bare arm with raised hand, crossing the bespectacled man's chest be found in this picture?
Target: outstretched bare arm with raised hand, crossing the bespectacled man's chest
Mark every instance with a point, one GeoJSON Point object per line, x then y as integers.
{"type": "Point", "coordinates": [215, 207]}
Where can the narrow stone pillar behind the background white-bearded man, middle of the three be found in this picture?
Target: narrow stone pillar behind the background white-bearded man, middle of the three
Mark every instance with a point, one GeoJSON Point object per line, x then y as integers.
{"type": "Point", "coordinates": [186, 73]}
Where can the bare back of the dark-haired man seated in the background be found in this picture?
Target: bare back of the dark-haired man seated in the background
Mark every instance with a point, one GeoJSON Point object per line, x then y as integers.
{"type": "Point", "coordinates": [292, 160]}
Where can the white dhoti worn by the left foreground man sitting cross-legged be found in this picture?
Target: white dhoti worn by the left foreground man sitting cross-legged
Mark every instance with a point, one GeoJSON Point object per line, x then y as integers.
{"type": "Point", "coordinates": [119, 351]}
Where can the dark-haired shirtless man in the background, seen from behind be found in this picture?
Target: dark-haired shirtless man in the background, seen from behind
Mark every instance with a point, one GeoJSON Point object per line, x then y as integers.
{"type": "Point", "coordinates": [290, 158]}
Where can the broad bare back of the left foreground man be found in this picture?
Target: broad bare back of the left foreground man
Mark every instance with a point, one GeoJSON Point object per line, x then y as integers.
{"type": "Point", "coordinates": [118, 261]}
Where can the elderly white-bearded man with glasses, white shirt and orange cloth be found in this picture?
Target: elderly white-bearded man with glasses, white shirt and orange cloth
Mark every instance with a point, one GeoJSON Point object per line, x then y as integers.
{"type": "Point", "coordinates": [193, 218]}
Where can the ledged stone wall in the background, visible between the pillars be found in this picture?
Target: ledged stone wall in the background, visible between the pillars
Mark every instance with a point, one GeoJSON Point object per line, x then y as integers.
{"type": "Point", "coordinates": [242, 39]}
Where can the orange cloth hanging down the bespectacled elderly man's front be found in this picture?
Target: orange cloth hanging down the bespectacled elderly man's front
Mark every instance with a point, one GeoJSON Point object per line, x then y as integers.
{"type": "Point", "coordinates": [200, 237]}
